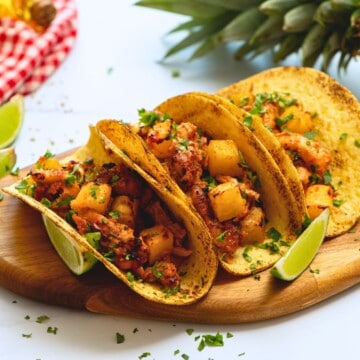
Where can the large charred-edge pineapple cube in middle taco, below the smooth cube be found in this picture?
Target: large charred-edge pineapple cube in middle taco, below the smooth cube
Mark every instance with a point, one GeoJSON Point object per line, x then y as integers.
{"type": "Point", "coordinates": [227, 201]}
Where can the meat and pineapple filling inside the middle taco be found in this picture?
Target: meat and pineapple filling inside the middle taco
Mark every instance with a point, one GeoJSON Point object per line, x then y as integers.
{"type": "Point", "coordinates": [214, 175]}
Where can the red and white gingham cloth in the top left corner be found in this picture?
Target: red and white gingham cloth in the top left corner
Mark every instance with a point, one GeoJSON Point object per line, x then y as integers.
{"type": "Point", "coordinates": [28, 58]}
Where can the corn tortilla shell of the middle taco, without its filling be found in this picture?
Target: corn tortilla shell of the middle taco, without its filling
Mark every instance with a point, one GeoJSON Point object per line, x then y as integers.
{"type": "Point", "coordinates": [280, 207]}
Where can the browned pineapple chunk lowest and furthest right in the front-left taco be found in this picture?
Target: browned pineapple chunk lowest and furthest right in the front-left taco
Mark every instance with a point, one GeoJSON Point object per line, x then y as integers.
{"type": "Point", "coordinates": [160, 242]}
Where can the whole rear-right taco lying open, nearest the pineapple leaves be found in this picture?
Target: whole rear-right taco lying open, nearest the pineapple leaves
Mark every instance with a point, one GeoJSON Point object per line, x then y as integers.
{"type": "Point", "coordinates": [316, 122]}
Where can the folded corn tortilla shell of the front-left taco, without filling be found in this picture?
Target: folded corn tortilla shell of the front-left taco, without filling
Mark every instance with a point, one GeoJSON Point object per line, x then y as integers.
{"type": "Point", "coordinates": [200, 268]}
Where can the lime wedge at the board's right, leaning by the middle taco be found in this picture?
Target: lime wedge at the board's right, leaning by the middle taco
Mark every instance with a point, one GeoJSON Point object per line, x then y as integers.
{"type": "Point", "coordinates": [303, 250]}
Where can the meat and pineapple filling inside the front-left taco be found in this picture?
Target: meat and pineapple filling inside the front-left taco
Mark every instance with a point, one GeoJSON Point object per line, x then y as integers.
{"type": "Point", "coordinates": [117, 212]}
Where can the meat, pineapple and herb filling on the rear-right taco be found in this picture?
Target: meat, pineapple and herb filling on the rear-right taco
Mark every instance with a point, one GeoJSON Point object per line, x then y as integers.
{"type": "Point", "coordinates": [294, 128]}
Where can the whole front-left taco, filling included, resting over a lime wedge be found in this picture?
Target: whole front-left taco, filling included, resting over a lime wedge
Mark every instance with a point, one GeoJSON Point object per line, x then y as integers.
{"type": "Point", "coordinates": [144, 235]}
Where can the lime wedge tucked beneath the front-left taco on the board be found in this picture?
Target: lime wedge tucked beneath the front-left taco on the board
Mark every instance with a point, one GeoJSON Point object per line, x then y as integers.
{"type": "Point", "coordinates": [78, 259]}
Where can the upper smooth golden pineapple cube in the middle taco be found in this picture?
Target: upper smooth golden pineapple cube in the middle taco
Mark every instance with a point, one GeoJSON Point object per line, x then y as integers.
{"type": "Point", "coordinates": [223, 158]}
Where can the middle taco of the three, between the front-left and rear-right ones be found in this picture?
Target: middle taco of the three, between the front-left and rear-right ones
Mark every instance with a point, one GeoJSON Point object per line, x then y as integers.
{"type": "Point", "coordinates": [220, 167]}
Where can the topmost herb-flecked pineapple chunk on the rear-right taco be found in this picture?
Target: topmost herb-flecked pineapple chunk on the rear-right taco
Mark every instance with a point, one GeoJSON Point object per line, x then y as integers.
{"type": "Point", "coordinates": [298, 121]}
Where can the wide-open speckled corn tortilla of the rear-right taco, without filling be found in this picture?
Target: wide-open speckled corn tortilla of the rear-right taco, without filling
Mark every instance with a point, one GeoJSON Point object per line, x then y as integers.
{"type": "Point", "coordinates": [338, 113]}
